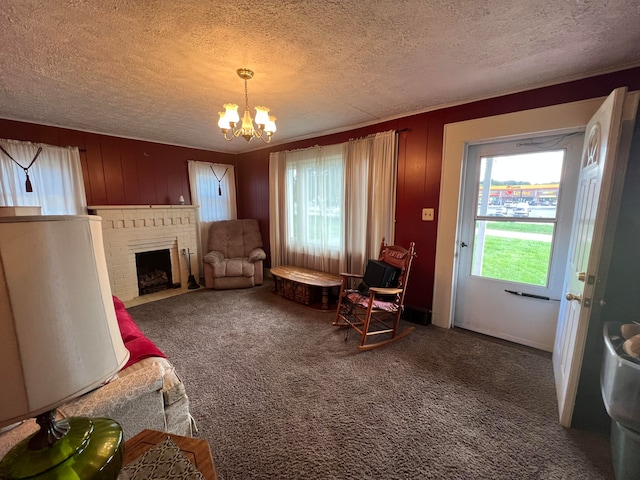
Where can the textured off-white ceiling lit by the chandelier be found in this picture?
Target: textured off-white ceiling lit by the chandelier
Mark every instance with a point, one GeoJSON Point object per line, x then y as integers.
{"type": "Point", "coordinates": [161, 70]}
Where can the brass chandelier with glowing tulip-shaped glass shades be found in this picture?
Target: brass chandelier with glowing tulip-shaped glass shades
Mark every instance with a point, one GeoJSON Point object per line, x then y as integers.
{"type": "Point", "coordinates": [230, 118]}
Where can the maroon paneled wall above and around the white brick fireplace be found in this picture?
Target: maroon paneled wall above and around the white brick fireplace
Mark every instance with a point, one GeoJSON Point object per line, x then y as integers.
{"type": "Point", "coordinates": [121, 171]}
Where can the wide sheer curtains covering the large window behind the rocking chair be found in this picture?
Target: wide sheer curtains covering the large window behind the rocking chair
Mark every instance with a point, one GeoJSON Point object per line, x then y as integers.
{"type": "Point", "coordinates": [331, 206]}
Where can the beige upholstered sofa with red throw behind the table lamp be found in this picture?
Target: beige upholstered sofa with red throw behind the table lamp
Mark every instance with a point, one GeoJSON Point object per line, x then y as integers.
{"type": "Point", "coordinates": [145, 393]}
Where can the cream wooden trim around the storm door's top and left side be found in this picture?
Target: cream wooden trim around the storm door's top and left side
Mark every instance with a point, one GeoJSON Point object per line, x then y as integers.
{"type": "Point", "coordinates": [457, 136]}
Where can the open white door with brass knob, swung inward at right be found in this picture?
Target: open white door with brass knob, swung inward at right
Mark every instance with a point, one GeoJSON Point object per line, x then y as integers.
{"type": "Point", "coordinates": [603, 165]}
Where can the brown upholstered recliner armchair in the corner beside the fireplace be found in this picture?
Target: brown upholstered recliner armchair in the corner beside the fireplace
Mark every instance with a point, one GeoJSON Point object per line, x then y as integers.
{"type": "Point", "coordinates": [234, 257]}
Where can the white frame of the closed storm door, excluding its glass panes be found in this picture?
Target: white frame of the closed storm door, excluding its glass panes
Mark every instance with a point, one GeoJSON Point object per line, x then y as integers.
{"type": "Point", "coordinates": [475, 306]}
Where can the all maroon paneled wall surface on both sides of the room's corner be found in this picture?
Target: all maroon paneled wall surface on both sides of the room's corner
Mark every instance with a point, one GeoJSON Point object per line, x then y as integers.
{"type": "Point", "coordinates": [123, 171]}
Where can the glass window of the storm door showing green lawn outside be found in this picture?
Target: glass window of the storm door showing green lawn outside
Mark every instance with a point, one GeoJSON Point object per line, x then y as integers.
{"type": "Point", "coordinates": [516, 216]}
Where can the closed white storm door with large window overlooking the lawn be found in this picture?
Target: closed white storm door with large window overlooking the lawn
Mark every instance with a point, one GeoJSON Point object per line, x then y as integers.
{"type": "Point", "coordinates": [514, 236]}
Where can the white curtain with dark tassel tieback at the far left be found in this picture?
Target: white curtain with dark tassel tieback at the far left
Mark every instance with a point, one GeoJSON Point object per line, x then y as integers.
{"type": "Point", "coordinates": [56, 178]}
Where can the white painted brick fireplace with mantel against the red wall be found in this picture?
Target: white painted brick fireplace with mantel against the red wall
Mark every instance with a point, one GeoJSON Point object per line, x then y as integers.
{"type": "Point", "coordinates": [128, 230]}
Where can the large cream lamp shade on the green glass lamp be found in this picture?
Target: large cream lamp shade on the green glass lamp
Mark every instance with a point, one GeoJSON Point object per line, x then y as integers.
{"type": "Point", "coordinates": [59, 337]}
